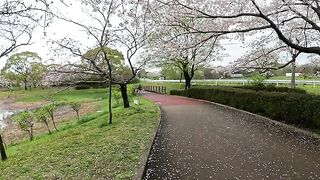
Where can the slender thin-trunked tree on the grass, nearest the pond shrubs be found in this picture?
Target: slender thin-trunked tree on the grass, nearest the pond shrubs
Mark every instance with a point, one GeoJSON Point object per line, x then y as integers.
{"type": "Point", "coordinates": [98, 16]}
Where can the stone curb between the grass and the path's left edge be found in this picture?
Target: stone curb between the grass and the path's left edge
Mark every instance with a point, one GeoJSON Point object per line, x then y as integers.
{"type": "Point", "coordinates": [141, 167]}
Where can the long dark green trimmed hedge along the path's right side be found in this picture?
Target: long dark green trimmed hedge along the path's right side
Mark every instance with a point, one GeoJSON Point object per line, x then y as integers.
{"type": "Point", "coordinates": [292, 108]}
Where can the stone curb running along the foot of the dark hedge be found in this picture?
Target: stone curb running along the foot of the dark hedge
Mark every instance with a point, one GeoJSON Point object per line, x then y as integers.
{"type": "Point", "coordinates": [289, 127]}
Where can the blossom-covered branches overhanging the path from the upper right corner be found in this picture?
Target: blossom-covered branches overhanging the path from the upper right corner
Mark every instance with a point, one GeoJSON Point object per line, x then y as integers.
{"type": "Point", "coordinates": [285, 19]}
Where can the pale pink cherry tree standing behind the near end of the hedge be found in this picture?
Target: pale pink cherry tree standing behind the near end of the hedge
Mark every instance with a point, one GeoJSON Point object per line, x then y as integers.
{"type": "Point", "coordinates": [171, 44]}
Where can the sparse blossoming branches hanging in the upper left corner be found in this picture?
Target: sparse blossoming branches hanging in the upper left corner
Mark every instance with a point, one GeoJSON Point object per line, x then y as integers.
{"type": "Point", "coordinates": [18, 20]}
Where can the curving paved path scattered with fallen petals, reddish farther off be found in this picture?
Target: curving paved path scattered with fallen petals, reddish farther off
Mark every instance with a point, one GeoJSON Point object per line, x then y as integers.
{"type": "Point", "coordinates": [203, 141]}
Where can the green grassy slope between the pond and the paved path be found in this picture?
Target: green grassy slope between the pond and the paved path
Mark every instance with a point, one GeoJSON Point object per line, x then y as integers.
{"type": "Point", "coordinates": [89, 149]}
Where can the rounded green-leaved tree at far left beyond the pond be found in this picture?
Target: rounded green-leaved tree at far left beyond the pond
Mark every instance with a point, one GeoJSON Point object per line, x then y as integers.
{"type": "Point", "coordinates": [25, 67]}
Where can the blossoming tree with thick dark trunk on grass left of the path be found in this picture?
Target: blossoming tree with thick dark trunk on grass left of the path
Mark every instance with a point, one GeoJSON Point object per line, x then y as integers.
{"type": "Point", "coordinates": [135, 30]}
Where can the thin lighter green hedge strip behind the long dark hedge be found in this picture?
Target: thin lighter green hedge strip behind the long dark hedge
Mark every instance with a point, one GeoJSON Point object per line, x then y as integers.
{"type": "Point", "coordinates": [271, 88]}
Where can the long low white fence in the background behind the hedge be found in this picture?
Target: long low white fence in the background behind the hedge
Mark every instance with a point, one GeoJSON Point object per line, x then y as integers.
{"type": "Point", "coordinates": [239, 81]}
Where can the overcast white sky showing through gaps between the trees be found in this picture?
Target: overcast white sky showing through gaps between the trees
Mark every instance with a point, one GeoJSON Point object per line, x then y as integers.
{"type": "Point", "coordinates": [60, 29]}
